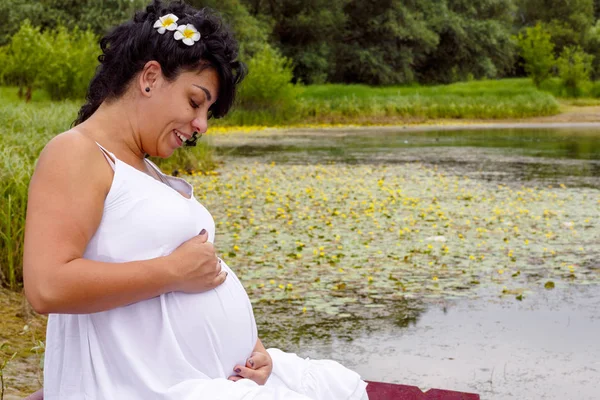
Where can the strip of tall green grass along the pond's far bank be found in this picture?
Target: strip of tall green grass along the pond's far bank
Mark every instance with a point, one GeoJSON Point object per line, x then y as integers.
{"type": "Point", "coordinates": [470, 100]}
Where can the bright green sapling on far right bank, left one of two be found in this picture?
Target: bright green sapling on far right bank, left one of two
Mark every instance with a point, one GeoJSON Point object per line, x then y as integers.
{"type": "Point", "coordinates": [537, 50]}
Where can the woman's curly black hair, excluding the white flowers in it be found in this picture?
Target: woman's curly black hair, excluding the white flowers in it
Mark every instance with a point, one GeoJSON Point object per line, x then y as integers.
{"type": "Point", "coordinates": [129, 46]}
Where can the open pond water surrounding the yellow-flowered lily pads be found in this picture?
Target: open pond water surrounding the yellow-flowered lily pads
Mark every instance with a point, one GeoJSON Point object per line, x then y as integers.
{"type": "Point", "coordinates": [542, 347]}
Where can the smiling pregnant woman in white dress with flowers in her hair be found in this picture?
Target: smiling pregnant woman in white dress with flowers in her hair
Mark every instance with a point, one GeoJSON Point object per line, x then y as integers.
{"type": "Point", "coordinates": [120, 255]}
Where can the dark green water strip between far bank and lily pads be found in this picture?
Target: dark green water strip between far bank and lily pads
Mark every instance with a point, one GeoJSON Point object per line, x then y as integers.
{"type": "Point", "coordinates": [545, 156]}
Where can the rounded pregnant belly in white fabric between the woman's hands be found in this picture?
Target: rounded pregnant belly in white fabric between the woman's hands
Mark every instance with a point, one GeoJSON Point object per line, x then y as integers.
{"type": "Point", "coordinates": [216, 329]}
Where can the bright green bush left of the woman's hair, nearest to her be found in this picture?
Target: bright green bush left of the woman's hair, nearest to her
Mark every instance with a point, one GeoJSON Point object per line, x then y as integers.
{"type": "Point", "coordinates": [71, 59]}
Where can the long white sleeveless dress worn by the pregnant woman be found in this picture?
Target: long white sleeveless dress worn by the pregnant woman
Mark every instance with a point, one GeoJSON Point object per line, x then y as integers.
{"type": "Point", "coordinates": [176, 346]}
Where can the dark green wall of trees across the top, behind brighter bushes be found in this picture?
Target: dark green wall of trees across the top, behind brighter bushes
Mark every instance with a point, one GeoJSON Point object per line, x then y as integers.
{"type": "Point", "coordinates": [379, 42]}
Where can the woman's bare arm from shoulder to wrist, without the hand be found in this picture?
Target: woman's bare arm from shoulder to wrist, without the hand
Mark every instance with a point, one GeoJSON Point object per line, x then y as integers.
{"type": "Point", "coordinates": [65, 205]}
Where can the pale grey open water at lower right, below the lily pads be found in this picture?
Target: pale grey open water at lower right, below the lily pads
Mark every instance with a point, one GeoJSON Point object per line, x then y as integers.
{"type": "Point", "coordinates": [544, 347]}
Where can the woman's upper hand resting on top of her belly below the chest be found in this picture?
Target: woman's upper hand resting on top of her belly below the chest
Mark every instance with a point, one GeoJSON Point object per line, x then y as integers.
{"type": "Point", "coordinates": [196, 266]}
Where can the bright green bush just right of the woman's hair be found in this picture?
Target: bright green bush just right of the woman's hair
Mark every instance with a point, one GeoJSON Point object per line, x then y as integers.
{"type": "Point", "coordinates": [267, 86]}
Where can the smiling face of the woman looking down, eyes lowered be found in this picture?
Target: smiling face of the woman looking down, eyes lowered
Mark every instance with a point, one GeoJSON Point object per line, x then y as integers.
{"type": "Point", "coordinates": [176, 110]}
